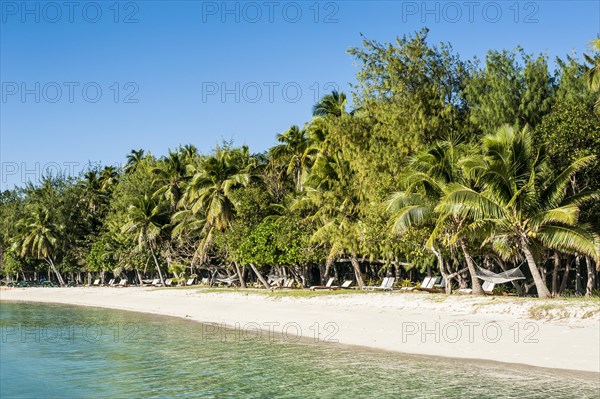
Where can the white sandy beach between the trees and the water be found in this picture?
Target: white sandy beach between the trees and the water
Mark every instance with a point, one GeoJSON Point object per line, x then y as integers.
{"type": "Point", "coordinates": [488, 328]}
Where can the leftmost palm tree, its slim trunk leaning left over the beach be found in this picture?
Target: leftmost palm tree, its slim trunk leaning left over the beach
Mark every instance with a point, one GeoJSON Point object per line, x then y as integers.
{"type": "Point", "coordinates": [40, 237]}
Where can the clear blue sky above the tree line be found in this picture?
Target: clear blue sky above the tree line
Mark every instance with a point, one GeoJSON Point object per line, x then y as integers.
{"type": "Point", "coordinates": [171, 61]}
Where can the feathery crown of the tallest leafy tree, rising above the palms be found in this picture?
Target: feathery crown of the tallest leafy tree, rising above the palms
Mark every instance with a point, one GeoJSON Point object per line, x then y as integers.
{"type": "Point", "coordinates": [412, 90]}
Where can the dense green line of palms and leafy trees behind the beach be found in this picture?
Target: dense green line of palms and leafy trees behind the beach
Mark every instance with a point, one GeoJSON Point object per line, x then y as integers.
{"type": "Point", "coordinates": [442, 166]}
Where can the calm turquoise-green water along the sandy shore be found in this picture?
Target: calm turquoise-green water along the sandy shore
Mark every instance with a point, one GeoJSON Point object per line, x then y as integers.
{"type": "Point", "coordinates": [52, 351]}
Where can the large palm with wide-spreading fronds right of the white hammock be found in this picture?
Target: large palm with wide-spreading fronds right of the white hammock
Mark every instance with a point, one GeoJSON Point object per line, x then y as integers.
{"type": "Point", "coordinates": [518, 206]}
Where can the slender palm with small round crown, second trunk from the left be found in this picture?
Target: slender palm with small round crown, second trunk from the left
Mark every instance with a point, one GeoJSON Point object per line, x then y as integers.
{"type": "Point", "coordinates": [145, 218]}
